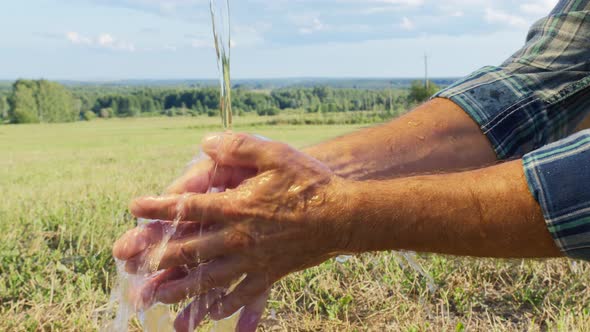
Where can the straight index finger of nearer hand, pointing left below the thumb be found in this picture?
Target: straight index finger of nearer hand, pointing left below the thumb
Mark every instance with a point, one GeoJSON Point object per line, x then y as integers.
{"type": "Point", "coordinates": [205, 208]}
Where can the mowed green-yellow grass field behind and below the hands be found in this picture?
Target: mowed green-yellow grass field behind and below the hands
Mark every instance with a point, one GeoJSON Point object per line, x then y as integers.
{"type": "Point", "coordinates": [64, 193]}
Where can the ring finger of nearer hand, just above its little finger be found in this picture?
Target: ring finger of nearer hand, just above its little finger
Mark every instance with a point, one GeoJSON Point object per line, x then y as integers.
{"type": "Point", "coordinates": [217, 273]}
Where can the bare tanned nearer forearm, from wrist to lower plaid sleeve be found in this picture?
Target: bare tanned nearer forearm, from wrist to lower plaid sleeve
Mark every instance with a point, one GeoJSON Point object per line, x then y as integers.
{"type": "Point", "coordinates": [488, 213]}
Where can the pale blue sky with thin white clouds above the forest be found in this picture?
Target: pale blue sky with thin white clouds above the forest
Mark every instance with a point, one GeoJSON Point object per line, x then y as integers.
{"type": "Point", "coordinates": [172, 39]}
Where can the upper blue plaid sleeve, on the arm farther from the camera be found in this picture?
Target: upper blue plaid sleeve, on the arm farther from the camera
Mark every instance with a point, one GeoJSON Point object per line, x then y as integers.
{"type": "Point", "coordinates": [541, 93]}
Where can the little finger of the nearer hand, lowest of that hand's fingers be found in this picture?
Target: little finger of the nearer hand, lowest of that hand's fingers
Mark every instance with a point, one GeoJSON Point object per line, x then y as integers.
{"type": "Point", "coordinates": [248, 291]}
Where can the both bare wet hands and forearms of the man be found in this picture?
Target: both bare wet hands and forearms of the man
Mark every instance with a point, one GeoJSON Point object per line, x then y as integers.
{"type": "Point", "coordinates": [286, 210]}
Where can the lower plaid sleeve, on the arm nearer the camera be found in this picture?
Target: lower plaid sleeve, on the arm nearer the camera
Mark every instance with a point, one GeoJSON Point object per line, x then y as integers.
{"type": "Point", "coordinates": [559, 178]}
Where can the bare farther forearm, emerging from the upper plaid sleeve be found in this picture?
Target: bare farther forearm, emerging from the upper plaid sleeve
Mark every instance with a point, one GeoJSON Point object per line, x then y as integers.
{"type": "Point", "coordinates": [436, 137]}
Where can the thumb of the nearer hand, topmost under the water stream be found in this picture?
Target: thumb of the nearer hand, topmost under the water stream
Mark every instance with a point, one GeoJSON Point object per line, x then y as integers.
{"type": "Point", "coordinates": [245, 150]}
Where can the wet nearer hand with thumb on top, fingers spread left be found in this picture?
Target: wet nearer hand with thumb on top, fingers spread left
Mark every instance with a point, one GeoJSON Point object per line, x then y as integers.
{"type": "Point", "coordinates": [281, 221]}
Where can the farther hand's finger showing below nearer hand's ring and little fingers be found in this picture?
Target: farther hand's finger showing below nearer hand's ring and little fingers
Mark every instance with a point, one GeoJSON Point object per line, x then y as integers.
{"type": "Point", "coordinates": [193, 314]}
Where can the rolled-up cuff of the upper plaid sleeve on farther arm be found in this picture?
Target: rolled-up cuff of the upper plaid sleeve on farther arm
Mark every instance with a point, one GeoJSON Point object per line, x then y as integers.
{"type": "Point", "coordinates": [513, 110]}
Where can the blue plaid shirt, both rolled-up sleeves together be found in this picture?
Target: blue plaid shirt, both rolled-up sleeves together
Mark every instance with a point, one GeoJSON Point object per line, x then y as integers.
{"type": "Point", "coordinates": [538, 97]}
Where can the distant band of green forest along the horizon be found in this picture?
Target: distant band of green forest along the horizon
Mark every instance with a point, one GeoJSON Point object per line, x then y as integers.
{"type": "Point", "coordinates": [36, 101]}
